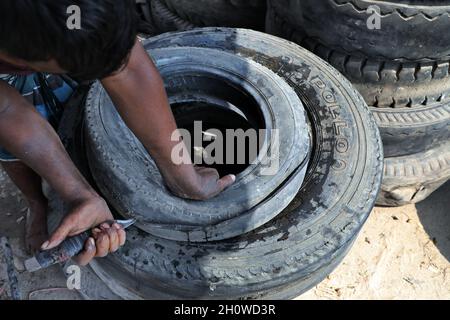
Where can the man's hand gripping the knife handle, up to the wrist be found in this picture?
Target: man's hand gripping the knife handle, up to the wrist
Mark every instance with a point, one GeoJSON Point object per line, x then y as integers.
{"type": "Point", "coordinates": [94, 214]}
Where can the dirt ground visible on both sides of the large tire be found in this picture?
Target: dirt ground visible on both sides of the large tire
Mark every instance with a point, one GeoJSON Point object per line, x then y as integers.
{"type": "Point", "coordinates": [402, 253]}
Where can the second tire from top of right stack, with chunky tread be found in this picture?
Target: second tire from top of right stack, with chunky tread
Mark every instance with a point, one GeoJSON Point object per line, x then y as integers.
{"type": "Point", "coordinates": [383, 83]}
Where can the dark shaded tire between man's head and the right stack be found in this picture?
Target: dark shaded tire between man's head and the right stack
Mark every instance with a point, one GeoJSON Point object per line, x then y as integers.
{"type": "Point", "coordinates": [180, 15]}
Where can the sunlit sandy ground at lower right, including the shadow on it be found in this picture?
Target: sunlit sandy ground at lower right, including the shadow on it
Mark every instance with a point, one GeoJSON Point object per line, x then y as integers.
{"type": "Point", "coordinates": [401, 253]}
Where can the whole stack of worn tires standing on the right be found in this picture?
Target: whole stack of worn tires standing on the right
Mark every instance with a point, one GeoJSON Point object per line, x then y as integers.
{"type": "Point", "coordinates": [401, 67]}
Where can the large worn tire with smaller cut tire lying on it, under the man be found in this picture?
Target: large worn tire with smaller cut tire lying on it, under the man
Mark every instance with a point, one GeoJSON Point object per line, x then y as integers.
{"type": "Point", "coordinates": [306, 217]}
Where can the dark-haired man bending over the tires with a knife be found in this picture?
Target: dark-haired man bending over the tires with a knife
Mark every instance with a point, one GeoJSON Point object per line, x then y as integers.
{"type": "Point", "coordinates": [34, 38]}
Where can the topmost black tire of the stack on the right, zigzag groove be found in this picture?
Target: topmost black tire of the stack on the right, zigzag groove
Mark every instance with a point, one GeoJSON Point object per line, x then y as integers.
{"type": "Point", "coordinates": [403, 25]}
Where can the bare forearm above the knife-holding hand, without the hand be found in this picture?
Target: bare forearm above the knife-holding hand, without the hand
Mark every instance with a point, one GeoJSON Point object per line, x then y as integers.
{"type": "Point", "coordinates": [29, 137]}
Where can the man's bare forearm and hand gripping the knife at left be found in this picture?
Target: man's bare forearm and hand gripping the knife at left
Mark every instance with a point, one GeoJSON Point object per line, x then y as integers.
{"type": "Point", "coordinates": [24, 133]}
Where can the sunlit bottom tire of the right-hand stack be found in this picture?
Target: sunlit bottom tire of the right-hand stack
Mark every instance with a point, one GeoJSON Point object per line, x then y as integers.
{"type": "Point", "coordinates": [411, 179]}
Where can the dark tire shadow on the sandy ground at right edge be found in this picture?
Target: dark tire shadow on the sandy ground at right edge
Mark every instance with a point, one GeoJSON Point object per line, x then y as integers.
{"type": "Point", "coordinates": [434, 214]}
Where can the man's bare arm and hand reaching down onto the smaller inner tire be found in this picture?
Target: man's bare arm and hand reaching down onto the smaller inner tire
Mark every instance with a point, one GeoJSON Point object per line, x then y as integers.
{"type": "Point", "coordinates": [139, 95]}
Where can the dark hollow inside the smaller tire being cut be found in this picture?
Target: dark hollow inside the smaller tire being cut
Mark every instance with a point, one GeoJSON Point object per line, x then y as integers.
{"type": "Point", "coordinates": [202, 104]}
